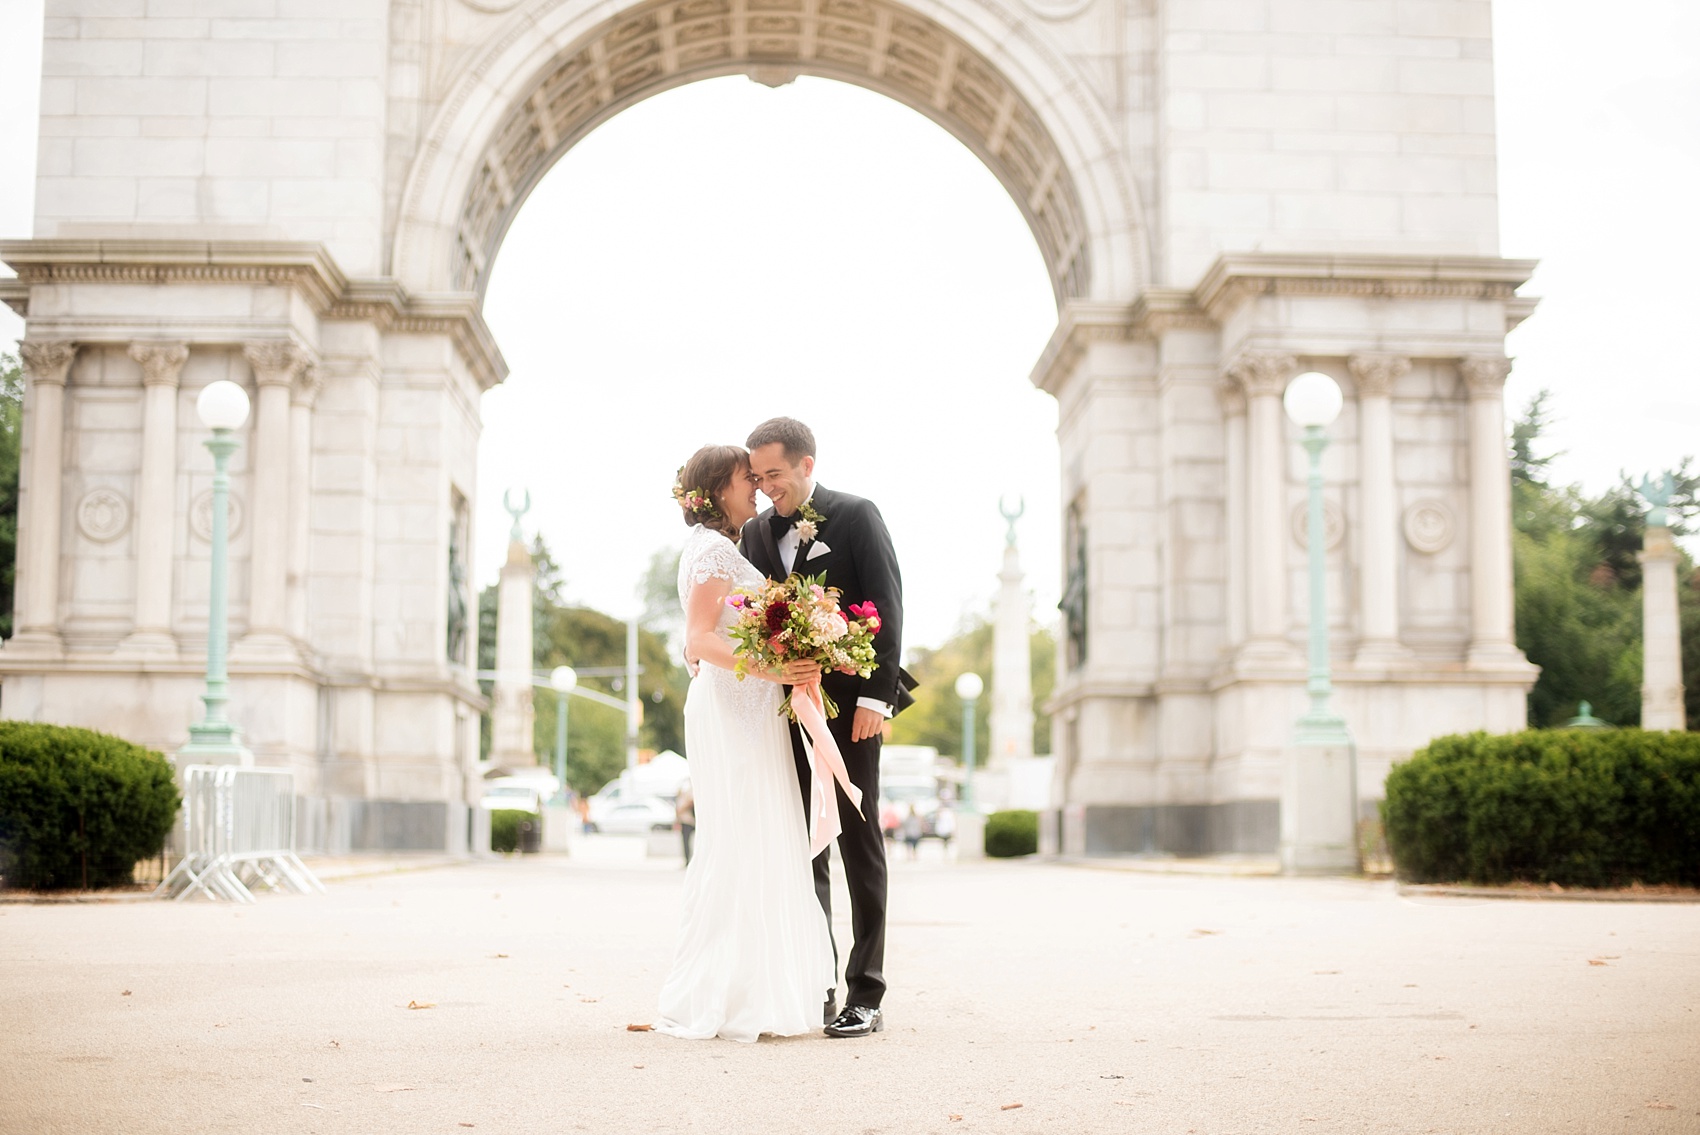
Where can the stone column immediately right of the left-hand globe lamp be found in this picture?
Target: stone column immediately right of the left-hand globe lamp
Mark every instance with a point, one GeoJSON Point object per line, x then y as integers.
{"type": "Point", "coordinates": [276, 364]}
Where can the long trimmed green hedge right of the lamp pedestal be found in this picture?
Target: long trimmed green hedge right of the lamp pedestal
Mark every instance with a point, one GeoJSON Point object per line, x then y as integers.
{"type": "Point", "coordinates": [1550, 806]}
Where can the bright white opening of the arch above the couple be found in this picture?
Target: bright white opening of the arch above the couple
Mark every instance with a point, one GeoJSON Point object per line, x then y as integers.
{"type": "Point", "coordinates": [727, 252]}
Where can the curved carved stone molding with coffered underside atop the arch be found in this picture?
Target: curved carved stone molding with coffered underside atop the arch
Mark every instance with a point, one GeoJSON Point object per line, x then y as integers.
{"type": "Point", "coordinates": [560, 72]}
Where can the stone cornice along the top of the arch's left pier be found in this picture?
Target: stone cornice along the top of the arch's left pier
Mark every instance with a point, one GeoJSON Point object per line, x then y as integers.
{"type": "Point", "coordinates": [305, 268]}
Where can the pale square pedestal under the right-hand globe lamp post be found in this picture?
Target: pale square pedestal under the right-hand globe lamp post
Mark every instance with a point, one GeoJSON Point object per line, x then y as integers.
{"type": "Point", "coordinates": [1320, 811]}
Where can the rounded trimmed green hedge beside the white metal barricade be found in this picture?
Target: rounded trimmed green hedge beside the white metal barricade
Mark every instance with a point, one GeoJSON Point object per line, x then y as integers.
{"type": "Point", "coordinates": [79, 808]}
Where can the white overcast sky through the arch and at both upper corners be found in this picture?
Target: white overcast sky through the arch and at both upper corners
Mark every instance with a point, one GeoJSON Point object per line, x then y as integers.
{"type": "Point", "coordinates": [728, 252]}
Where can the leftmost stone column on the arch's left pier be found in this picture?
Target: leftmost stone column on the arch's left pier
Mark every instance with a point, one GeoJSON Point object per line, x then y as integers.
{"type": "Point", "coordinates": [47, 366]}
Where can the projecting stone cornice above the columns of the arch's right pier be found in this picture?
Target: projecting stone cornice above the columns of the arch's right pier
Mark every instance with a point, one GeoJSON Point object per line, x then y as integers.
{"type": "Point", "coordinates": [1237, 278]}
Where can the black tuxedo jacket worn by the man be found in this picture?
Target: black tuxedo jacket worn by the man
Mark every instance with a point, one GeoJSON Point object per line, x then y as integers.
{"type": "Point", "coordinates": [861, 563]}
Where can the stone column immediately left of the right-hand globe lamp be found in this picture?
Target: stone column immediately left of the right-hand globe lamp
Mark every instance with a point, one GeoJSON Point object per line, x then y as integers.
{"type": "Point", "coordinates": [1264, 378]}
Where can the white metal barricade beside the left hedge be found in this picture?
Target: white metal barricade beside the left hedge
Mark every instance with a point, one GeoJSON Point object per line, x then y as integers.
{"type": "Point", "coordinates": [239, 833]}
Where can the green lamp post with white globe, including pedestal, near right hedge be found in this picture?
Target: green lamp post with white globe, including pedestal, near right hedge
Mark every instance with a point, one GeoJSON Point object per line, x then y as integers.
{"type": "Point", "coordinates": [1320, 791]}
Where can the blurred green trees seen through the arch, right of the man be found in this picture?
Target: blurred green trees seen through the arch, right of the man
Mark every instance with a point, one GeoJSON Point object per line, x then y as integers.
{"type": "Point", "coordinates": [936, 718]}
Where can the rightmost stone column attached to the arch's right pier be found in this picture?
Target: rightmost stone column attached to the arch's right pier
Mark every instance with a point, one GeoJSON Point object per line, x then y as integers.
{"type": "Point", "coordinates": [1493, 643]}
